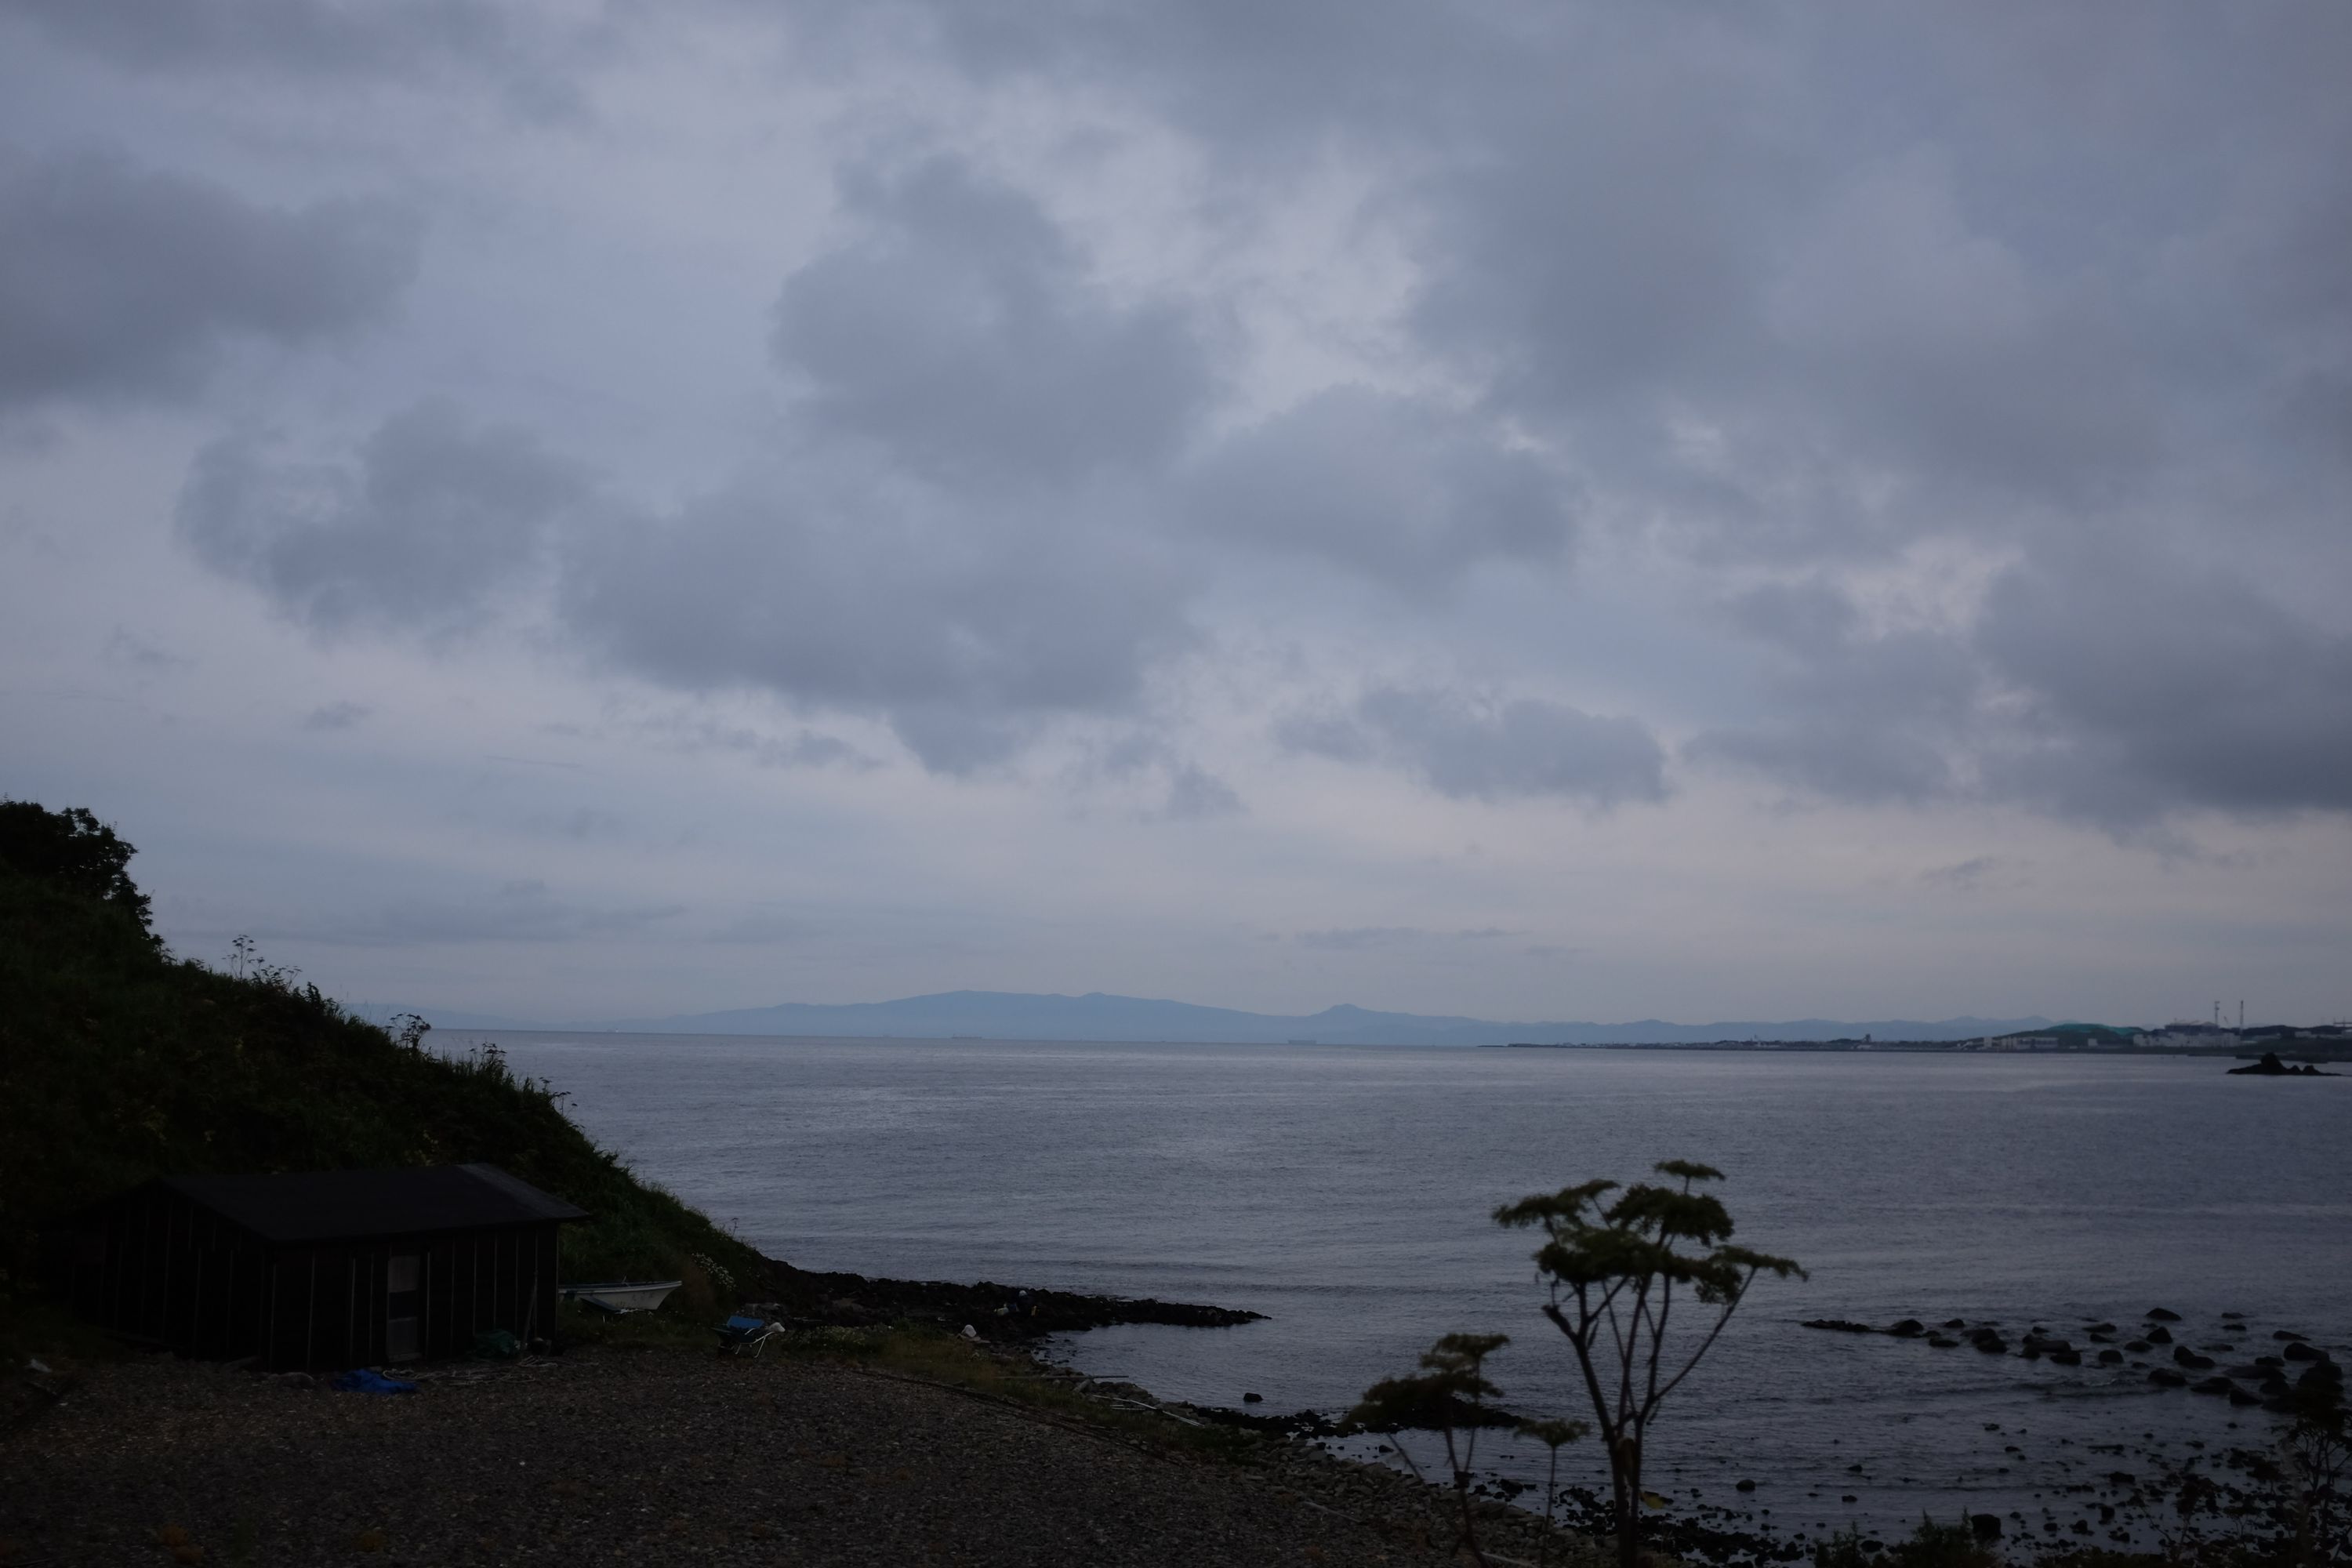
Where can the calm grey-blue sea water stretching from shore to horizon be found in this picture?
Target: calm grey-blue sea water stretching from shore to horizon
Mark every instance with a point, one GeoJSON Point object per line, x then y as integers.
{"type": "Point", "coordinates": [1347, 1191]}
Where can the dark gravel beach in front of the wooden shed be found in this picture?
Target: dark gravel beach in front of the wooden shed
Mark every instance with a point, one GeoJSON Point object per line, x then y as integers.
{"type": "Point", "coordinates": [660, 1456]}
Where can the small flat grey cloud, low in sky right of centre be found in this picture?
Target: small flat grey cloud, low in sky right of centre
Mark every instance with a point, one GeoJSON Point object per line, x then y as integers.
{"type": "Point", "coordinates": [1476, 749]}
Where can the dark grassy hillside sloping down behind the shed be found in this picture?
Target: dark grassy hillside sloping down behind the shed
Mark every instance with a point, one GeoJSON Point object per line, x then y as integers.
{"type": "Point", "coordinates": [121, 1064]}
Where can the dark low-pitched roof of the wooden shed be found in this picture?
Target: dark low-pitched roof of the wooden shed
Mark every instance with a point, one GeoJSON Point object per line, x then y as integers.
{"type": "Point", "coordinates": [354, 1205]}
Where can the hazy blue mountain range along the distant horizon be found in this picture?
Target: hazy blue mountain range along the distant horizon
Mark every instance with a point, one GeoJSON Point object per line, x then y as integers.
{"type": "Point", "coordinates": [1137, 1019]}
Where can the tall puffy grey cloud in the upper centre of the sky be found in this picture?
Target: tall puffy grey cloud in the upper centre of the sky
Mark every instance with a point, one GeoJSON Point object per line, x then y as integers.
{"type": "Point", "coordinates": [963, 335]}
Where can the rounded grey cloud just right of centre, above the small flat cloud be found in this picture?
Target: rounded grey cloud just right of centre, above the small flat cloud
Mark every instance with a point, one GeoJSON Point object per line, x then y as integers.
{"type": "Point", "coordinates": [1389, 485]}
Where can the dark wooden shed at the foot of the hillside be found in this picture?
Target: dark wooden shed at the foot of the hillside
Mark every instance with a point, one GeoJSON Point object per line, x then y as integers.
{"type": "Point", "coordinates": [323, 1271]}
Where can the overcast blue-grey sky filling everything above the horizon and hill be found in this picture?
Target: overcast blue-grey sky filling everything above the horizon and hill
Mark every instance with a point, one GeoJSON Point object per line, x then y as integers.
{"type": "Point", "coordinates": [1535, 511]}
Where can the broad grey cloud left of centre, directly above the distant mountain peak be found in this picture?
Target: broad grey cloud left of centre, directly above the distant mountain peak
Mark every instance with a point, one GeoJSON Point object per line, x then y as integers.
{"type": "Point", "coordinates": [965, 629]}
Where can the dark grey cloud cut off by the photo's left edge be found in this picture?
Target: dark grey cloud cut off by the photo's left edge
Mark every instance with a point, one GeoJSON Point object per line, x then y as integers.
{"type": "Point", "coordinates": [119, 281]}
